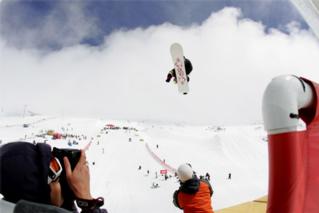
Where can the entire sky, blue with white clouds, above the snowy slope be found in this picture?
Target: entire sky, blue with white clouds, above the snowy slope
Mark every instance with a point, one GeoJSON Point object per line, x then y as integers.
{"type": "Point", "coordinates": [109, 59]}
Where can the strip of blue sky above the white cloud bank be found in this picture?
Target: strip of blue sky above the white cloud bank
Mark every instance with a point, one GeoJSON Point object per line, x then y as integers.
{"type": "Point", "coordinates": [101, 17]}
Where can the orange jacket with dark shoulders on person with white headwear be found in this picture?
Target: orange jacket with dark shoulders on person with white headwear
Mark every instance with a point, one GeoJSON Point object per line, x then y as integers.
{"type": "Point", "coordinates": [194, 196]}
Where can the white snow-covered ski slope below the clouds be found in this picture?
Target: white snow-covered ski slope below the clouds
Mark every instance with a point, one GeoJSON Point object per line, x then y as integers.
{"type": "Point", "coordinates": [115, 154]}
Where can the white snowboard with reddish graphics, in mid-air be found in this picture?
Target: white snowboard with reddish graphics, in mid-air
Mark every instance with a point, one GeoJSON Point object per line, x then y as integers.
{"type": "Point", "coordinates": [179, 65]}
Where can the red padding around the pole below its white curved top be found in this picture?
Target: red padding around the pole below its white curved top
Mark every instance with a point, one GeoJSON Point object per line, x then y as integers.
{"type": "Point", "coordinates": [294, 163]}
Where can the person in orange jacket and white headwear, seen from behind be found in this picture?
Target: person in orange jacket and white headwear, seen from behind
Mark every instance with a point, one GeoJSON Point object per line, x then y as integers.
{"type": "Point", "coordinates": [193, 195]}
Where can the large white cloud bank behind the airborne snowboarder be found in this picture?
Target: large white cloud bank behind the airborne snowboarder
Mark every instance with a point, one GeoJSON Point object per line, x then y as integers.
{"type": "Point", "coordinates": [233, 60]}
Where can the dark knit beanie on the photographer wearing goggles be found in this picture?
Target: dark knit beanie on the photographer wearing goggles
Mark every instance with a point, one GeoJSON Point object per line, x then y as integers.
{"type": "Point", "coordinates": [24, 172]}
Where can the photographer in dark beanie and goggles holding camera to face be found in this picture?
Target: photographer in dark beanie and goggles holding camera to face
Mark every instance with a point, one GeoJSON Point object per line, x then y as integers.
{"type": "Point", "coordinates": [35, 173]}
